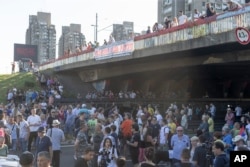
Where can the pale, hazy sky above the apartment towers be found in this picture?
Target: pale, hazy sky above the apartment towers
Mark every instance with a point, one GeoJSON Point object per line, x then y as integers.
{"type": "Point", "coordinates": [15, 19]}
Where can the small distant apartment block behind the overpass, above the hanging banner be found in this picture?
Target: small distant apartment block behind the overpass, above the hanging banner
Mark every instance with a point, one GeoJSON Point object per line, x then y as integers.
{"type": "Point", "coordinates": [123, 31]}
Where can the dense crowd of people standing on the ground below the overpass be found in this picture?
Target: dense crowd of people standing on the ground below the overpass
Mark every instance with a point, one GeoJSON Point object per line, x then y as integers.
{"type": "Point", "coordinates": [101, 135]}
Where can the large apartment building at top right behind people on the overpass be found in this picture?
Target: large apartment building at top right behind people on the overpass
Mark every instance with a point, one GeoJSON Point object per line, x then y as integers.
{"type": "Point", "coordinates": [170, 8]}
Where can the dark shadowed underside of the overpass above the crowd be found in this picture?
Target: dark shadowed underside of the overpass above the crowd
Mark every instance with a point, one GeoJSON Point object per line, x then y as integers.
{"type": "Point", "coordinates": [208, 69]}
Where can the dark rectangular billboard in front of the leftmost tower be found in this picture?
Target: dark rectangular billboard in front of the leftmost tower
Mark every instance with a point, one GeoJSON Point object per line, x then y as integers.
{"type": "Point", "coordinates": [23, 51]}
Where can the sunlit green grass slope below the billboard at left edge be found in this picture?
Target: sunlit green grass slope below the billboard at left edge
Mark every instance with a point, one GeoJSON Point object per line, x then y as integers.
{"type": "Point", "coordinates": [22, 81]}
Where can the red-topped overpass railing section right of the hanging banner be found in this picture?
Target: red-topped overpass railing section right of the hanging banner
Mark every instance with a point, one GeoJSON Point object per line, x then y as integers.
{"type": "Point", "coordinates": [203, 27]}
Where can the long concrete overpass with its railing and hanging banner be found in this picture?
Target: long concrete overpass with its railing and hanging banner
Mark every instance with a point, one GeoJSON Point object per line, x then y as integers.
{"type": "Point", "coordinates": [198, 47]}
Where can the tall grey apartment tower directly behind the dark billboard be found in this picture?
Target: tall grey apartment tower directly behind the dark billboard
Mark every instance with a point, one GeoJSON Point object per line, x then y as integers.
{"type": "Point", "coordinates": [43, 34]}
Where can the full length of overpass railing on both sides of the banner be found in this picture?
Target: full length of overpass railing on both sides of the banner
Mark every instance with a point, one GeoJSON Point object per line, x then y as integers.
{"type": "Point", "coordinates": [224, 22]}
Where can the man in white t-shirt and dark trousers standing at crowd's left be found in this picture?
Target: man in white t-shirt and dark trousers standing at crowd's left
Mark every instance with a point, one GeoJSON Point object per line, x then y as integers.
{"type": "Point", "coordinates": [34, 122]}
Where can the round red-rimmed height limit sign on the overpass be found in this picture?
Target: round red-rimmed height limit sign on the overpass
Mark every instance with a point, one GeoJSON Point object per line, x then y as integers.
{"type": "Point", "coordinates": [242, 35]}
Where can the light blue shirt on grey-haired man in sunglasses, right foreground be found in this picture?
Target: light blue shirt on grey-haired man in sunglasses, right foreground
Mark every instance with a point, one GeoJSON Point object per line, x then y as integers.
{"type": "Point", "coordinates": [178, 144]}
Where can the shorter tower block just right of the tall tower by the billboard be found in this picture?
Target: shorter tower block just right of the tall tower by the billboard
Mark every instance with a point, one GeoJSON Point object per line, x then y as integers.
{"type": "Point", "coordinates": [71, 39]}
